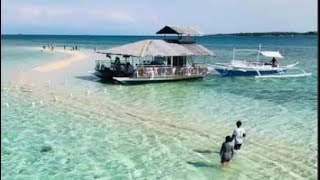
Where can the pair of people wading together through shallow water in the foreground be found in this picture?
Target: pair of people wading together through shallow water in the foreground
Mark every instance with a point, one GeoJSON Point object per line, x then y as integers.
{"type": "Point", "coordinates": [227, 148]}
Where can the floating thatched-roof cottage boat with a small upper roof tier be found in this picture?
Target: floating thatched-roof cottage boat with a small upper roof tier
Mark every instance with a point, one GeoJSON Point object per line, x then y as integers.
{"type": "Point", "coordinates": [155, 60]}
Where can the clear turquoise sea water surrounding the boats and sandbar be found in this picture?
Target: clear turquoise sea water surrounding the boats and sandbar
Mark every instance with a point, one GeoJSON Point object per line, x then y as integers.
{"type": "Point", "coordinates": [154, 131]}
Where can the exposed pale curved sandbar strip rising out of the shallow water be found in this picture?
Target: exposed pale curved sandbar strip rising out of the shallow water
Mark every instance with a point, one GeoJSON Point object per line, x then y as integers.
{"type": "Point", "coordinates": [76, 56]}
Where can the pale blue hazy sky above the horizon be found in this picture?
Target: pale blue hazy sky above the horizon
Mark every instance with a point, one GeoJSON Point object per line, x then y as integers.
{"type": "Point", "coordinates": [145, 17]}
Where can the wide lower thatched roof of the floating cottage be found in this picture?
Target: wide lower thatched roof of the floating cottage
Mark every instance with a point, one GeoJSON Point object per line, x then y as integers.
{"type": "Point", "coordinates": [155, 47]}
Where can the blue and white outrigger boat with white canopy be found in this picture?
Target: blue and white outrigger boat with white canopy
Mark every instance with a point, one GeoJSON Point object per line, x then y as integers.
{"type": "Point", "coordinates": [258, 68]}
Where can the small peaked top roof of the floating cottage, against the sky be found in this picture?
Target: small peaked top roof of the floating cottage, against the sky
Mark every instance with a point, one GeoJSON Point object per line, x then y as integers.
{"type": "Point", "coordinates": [179, 30]}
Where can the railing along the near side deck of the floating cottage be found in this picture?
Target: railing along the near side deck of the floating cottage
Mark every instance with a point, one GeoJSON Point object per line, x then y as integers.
{"type": "Point", "coordinates": [167, 71]}
